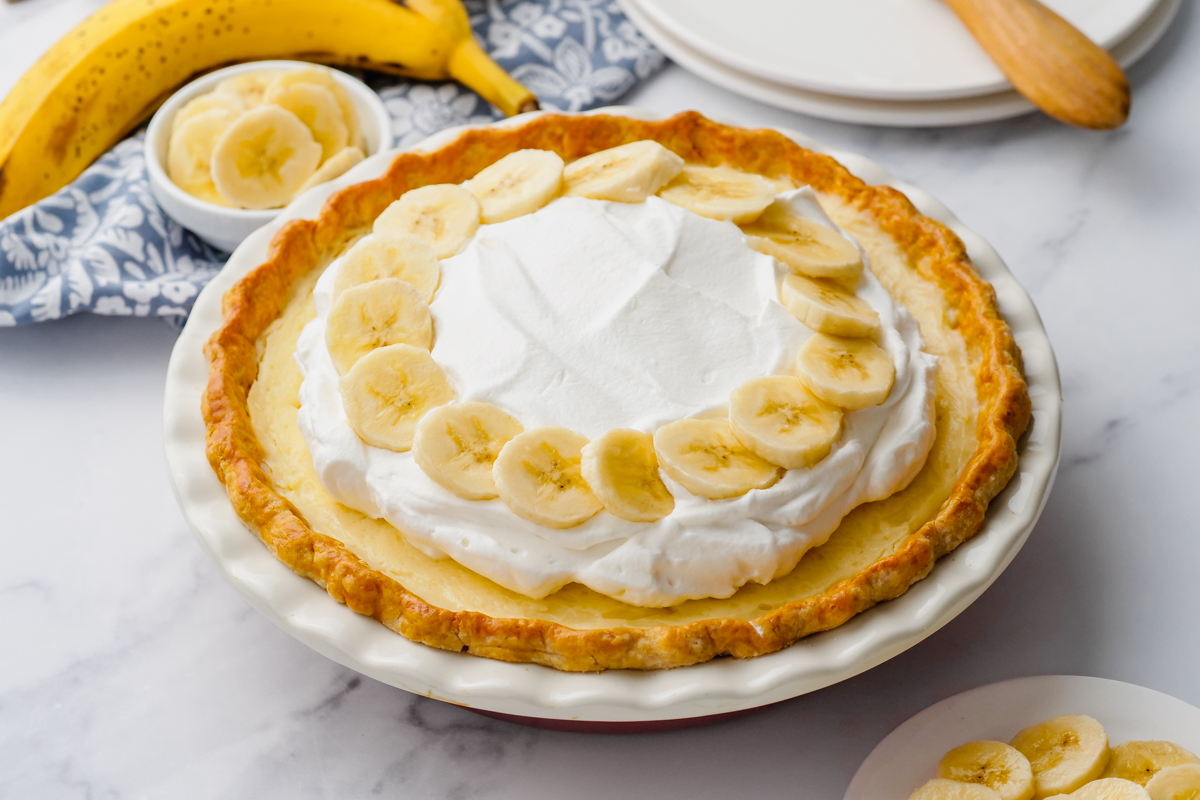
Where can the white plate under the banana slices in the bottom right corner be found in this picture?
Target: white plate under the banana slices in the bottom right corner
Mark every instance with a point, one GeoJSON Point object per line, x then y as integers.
{"type": "Point", "coordinates": [909, 756]}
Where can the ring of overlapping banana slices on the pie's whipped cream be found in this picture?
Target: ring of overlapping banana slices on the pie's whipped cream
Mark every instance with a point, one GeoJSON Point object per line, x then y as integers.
{"type": "Point", "coordinates": [379, 334]}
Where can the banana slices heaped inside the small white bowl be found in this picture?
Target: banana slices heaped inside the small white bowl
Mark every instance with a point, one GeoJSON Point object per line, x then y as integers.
{"type": "Point", "coordinates": [261, 139]}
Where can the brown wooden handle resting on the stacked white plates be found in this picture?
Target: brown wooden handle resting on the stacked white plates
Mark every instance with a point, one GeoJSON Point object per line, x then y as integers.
{"type": "Point", "coordinates": [1057, 68]}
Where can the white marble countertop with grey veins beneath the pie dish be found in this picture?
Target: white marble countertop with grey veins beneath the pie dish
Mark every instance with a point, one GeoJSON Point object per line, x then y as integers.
{"type": "Point", "coordinates": [131, 670]}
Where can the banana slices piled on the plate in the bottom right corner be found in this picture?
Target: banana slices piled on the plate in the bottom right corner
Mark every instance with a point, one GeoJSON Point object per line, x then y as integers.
{"type": "Point", "coordinates": [1065, 757]}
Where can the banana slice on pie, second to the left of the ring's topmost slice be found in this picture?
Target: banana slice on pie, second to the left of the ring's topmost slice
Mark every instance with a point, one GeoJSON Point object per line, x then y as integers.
{"type": "Point", "coordinates": [443, 215]}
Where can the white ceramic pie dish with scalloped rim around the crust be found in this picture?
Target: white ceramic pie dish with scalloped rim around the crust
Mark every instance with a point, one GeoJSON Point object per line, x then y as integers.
{"type": "Point", "coordinates": [724, 685]}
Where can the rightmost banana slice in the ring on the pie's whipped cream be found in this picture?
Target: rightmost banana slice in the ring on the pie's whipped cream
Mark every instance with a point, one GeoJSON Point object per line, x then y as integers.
{"type": "Point", "coordinates": [850, 374]}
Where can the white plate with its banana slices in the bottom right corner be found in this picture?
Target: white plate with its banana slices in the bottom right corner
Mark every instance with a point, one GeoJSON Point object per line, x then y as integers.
{"type": "Point", "coordinates": [1042, 737]}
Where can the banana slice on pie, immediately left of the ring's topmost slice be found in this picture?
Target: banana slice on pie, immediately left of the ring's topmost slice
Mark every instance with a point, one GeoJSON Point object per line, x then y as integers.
{"type": "Point", "coordinates": [519, 184]}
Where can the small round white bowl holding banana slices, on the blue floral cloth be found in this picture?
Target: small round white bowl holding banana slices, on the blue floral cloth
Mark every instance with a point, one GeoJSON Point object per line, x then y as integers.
{"type": "Point", "coordinates": [221, 227]}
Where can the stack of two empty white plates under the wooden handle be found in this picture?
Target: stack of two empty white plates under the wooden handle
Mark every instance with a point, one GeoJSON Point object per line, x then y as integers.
{"type": "Point", "coordinates": [905, 63]}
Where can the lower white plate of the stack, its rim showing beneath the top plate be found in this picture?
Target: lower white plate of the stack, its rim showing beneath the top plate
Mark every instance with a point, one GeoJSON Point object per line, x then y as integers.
{"type": "Point", "coordinates": [931, 113]}
